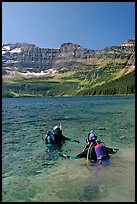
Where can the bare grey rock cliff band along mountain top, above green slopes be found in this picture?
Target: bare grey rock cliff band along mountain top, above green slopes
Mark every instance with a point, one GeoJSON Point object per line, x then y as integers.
{"type": "Point", "coordinates": [28, 57]}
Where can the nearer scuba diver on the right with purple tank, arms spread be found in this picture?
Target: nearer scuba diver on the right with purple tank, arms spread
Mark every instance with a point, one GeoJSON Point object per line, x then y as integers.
{"type": "Point", "coordinates": [95, 150]}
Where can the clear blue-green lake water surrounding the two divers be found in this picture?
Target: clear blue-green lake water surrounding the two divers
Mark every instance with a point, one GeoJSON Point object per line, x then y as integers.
{"type": "Point", "coordinates": [30, 174]}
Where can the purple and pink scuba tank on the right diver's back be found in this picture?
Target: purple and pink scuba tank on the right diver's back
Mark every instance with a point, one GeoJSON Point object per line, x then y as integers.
{"type": "Point", "coordinates": [100, 151]}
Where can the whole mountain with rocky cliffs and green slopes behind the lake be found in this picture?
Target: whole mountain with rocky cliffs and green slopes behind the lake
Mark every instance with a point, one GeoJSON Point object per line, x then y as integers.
{"type": "Point", "coordinates": [43, 71]}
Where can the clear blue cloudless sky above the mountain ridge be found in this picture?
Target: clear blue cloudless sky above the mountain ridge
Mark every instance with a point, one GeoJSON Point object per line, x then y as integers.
{"type": "Point", "coordinates": [92, 25]}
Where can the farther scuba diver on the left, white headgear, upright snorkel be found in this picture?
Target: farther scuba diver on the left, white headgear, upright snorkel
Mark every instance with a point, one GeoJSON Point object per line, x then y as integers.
{"type": "Point", "coordinates": [56, 137]}
